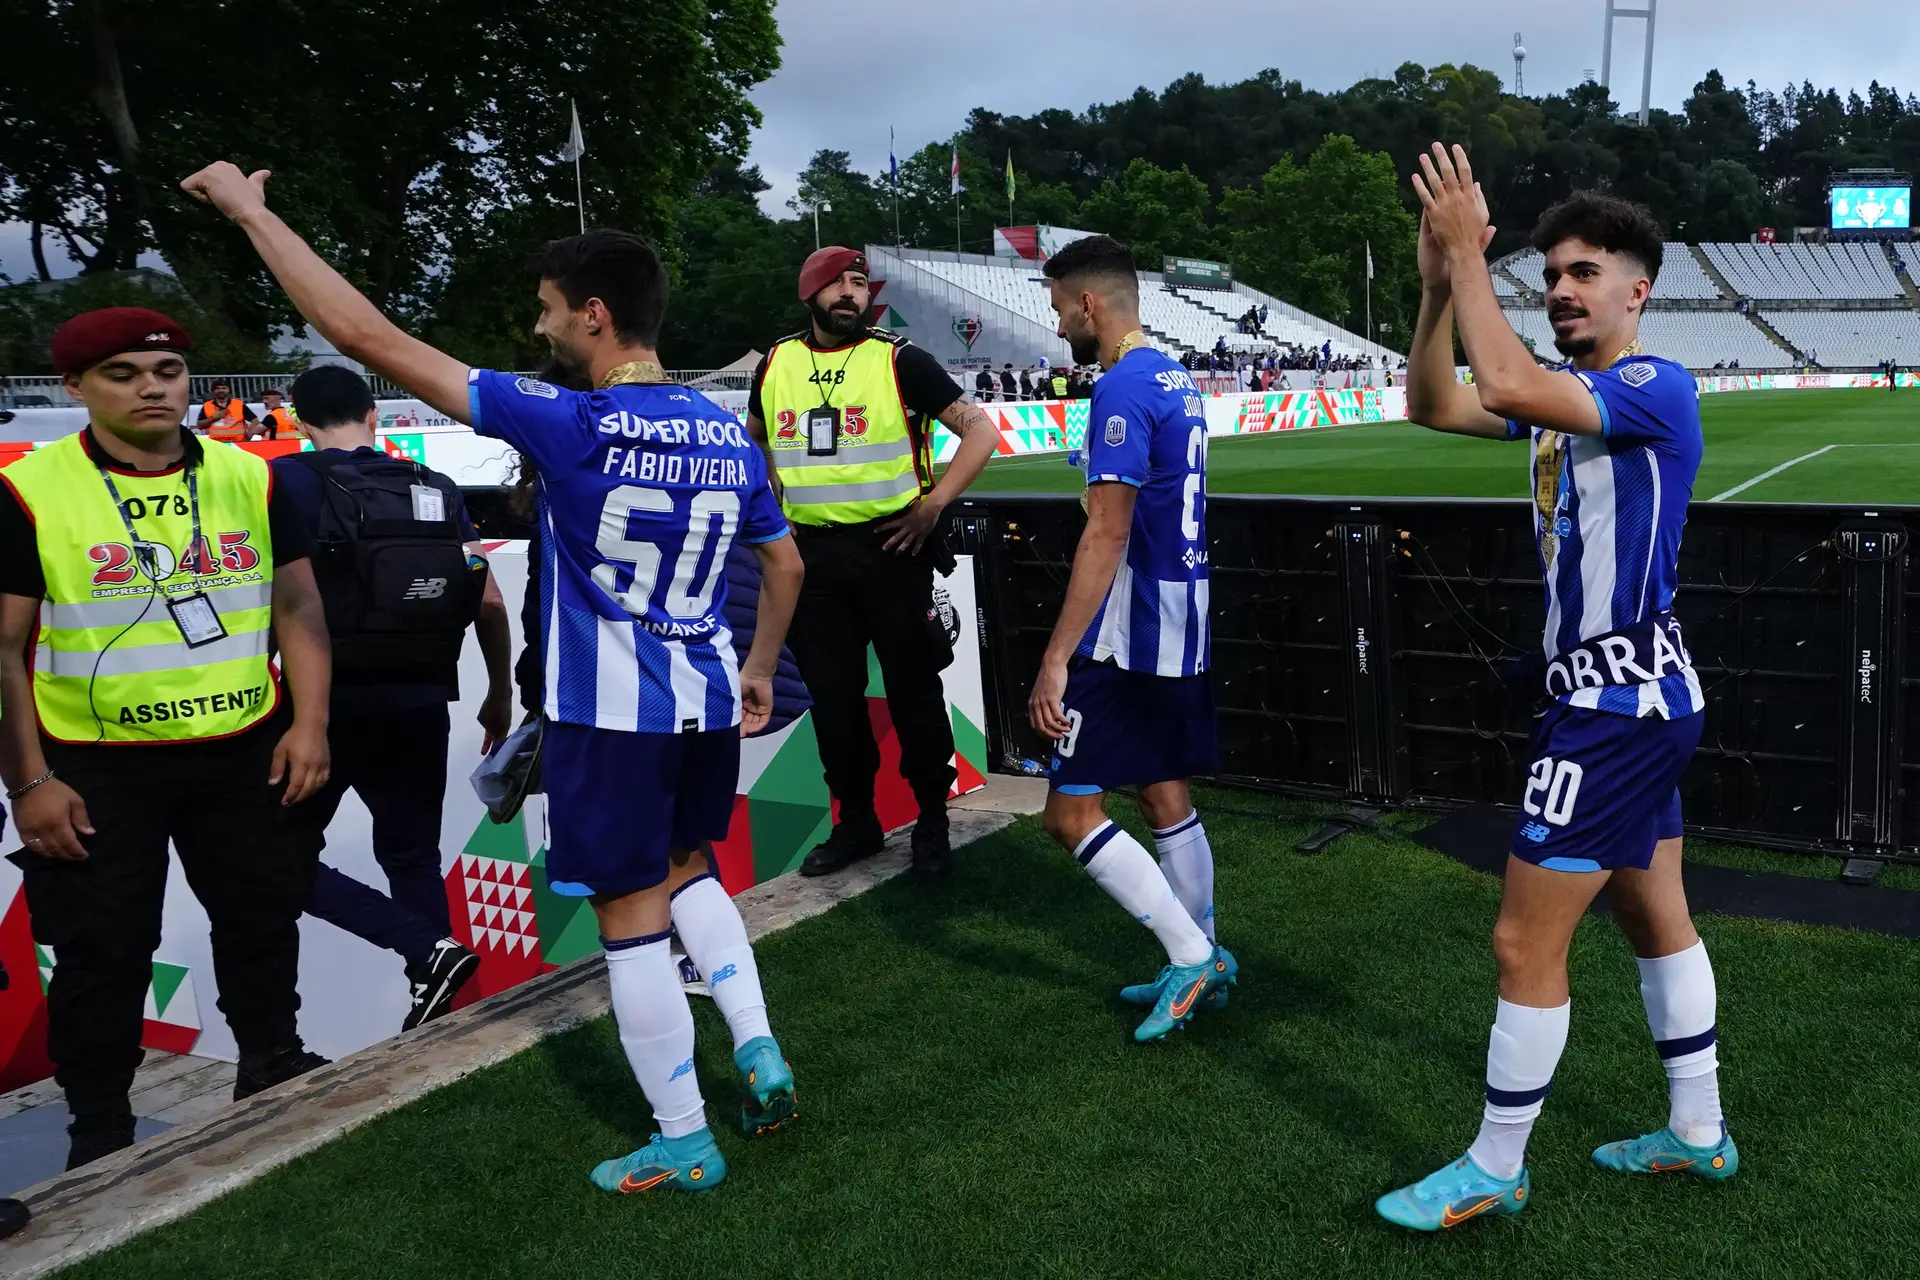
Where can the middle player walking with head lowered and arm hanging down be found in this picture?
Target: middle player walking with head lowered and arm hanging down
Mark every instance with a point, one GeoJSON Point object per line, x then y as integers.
{"type": "Point", "coordinates": [1122, 686]}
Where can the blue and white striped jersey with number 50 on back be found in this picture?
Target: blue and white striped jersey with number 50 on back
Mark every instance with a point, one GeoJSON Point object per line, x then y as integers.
{"type": "Point", "coordinates": [642, 492]}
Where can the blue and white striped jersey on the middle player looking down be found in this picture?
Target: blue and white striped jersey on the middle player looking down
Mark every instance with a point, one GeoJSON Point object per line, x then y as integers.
{"type": "Point", "coordinates": [1149, 429]}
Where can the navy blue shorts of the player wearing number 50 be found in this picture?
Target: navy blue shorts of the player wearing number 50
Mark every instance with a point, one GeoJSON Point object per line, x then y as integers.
{"type": "Point", "coordinates": [619, 803]}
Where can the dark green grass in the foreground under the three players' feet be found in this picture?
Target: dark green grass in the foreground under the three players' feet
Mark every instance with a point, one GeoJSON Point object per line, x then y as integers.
{"type": "Point", "coordinates": [972, 1102]}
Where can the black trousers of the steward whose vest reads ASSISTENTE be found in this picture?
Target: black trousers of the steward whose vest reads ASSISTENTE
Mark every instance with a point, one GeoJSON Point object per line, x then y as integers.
{"type": "Point", "coordinates": [103, 916]}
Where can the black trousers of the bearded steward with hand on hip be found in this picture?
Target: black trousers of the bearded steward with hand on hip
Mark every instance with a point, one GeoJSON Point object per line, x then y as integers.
{"type": "Point", "coordinates": [859, 596]}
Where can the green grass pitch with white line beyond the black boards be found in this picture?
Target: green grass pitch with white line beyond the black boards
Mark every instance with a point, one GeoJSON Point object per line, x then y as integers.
{"type": "Point", "coordinates": [1871, 456]}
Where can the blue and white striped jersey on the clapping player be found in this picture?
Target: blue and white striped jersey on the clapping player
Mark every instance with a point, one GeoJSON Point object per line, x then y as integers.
{"type": "Point", "coordinates": [1608, 519]}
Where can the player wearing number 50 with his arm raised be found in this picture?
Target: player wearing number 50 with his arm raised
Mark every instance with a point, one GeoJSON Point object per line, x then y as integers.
{"type": "Point", "coordinates": [642, 490]}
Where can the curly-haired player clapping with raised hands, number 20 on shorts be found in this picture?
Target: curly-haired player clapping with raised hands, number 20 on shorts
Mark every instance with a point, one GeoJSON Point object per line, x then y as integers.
{"type": "Point", "coordinates": [1616, 446]}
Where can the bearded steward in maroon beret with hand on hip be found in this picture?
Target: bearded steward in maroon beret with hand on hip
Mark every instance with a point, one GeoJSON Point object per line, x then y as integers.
{"type": "Point", "coordinates": [852, 412]}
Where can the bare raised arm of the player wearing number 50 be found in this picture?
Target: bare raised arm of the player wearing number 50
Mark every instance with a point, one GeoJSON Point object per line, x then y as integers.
{"type": "Point", "coordinates": [322, 295]}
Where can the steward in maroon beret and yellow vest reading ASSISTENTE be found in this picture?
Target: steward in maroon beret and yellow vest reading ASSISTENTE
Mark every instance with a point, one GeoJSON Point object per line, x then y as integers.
{"type": "Point", "coordinates": [143, 579]}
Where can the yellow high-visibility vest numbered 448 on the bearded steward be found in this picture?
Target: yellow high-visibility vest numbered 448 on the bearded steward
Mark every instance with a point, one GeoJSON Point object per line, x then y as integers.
{"type": "Point", "coordinates": [878, 465]}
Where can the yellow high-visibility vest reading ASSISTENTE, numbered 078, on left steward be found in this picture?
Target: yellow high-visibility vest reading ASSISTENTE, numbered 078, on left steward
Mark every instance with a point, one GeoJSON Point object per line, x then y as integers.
{"type": "Point", "coordinates": [110, 663]}
